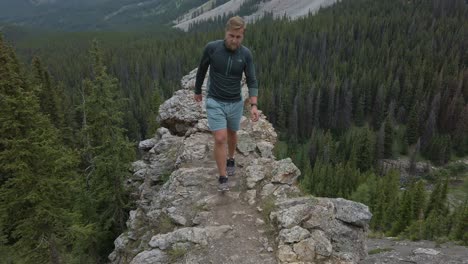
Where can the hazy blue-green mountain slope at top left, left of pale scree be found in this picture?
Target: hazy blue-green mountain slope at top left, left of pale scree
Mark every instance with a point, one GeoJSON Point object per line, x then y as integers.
{"type": "Point", "coordinates": [73, 15]}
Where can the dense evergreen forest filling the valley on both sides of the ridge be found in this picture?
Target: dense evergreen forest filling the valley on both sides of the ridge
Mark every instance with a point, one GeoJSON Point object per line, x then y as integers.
{"type": "Point", "coordinates": [347, 88]}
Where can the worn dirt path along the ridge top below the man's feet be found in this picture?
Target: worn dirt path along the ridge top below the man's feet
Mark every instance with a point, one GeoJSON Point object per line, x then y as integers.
{"type": "Point", "coordinates": [250, 240]}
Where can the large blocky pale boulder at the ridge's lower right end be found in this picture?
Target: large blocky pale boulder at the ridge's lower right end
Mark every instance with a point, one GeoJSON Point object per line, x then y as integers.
{"type": "Point", "coordinates": [316, 229]}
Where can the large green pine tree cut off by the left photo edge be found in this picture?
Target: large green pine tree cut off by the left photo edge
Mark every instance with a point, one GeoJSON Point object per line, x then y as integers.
{"type": "Point", "coordinates": [37, 191]}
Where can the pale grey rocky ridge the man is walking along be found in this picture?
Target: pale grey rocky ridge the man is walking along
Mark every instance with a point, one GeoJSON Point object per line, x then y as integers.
{"type": "Point", "coordinates": [180, 217]}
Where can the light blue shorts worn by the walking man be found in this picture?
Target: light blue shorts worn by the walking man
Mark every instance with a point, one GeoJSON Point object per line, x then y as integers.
{"type": "Point", "coordinates": [222, 115]}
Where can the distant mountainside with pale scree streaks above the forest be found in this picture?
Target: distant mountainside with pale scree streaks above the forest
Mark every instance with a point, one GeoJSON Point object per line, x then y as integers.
{"type": "Point", "coordinates": [77, 15]}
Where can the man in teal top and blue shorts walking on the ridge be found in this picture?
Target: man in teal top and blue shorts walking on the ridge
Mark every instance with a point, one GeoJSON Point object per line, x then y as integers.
{"type": "Point", "coordinates": [227, 59]}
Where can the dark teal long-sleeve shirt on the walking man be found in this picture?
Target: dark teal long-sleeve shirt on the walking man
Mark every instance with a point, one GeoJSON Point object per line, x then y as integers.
{"type": "Point", "coordinates": [226, 72]}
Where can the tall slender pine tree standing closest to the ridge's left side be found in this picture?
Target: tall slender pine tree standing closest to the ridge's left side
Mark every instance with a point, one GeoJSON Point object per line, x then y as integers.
{"type": "Point", "coordinates": [108, 153]}
